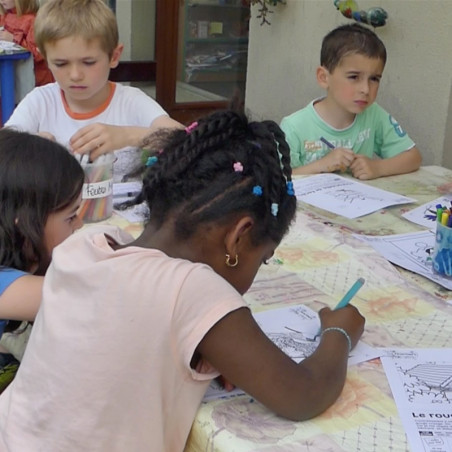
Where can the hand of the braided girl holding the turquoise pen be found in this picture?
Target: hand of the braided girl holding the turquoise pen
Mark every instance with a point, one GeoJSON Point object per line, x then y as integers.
{"type": "Point", "coordinates": [347, 318]}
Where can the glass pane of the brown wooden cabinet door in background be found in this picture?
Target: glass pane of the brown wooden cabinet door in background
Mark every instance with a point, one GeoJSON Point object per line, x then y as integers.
{"type": "Point", "coordinates": [213, 50]}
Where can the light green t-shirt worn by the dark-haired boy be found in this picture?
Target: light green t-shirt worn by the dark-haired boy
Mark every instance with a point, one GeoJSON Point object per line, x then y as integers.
{"type": "Point", "coordinates": [374, 131]}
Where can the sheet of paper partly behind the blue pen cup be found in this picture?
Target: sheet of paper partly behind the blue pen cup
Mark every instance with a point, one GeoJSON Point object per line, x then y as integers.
{"type": "Point", "coordinates": [412, 251]}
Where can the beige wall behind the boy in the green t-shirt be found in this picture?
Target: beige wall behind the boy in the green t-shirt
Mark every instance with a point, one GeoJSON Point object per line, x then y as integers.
{"type": "Point", "coordinates": [416, 84]}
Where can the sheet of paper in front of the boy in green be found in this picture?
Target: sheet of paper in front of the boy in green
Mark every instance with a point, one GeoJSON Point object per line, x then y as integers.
{"type": "Point", "coordinates": [344, 196]}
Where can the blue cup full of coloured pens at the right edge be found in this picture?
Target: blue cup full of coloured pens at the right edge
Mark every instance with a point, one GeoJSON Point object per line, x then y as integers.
{"type": "Point", "coordinates": [442, 255]}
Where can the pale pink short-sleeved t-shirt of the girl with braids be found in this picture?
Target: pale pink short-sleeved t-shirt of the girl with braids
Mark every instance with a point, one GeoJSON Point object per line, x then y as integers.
{"type": "Point", "coordinates": [107, 366]}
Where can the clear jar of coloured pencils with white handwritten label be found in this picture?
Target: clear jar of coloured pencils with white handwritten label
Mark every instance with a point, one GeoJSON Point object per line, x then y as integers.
{"type": "Point", "coordinates": [97, 194]}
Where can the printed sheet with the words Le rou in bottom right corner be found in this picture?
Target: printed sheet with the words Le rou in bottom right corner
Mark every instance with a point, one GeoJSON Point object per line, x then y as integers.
{"type": "Point", "coordinates": [421, 383]}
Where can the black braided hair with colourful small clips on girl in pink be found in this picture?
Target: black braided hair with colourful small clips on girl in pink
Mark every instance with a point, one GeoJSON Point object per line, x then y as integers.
{"type": "Point", "coordinates": [221, 166]}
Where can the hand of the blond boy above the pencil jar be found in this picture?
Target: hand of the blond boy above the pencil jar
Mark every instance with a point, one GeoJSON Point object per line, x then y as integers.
{"type": "Point", "coordinates": [97, 139]}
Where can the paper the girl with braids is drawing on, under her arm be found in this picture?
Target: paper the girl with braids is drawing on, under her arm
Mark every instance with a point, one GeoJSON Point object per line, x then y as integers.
{"type": "Point", "coordinates": [291, 329]}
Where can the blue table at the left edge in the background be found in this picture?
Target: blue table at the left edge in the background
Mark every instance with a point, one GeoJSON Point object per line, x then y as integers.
{"type": "Point", "coordinates": [7, 80]}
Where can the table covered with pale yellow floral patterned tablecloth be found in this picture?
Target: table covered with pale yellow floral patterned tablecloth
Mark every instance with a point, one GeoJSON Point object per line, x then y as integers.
{"type": "Point", "coordinates": [315, 265]}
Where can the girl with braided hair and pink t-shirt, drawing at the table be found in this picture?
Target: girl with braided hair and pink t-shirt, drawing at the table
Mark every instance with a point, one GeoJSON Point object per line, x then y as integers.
{"type": "Point", "coordinates": [142, 326]}
